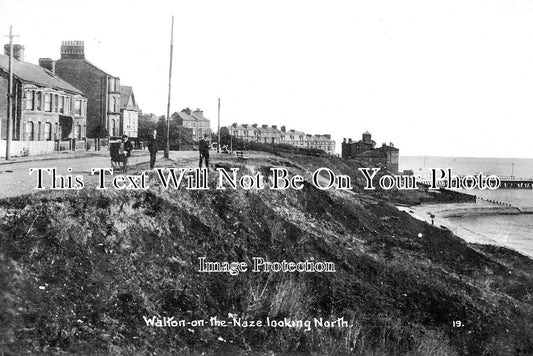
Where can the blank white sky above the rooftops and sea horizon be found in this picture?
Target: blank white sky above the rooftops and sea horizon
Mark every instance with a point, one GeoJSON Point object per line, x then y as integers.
{"type": "Point", "coordinates": [450, 78]}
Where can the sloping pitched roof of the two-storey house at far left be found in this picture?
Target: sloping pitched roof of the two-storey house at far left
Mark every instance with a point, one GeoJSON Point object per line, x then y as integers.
{"type": "Point", "coordinates": [35, 74]}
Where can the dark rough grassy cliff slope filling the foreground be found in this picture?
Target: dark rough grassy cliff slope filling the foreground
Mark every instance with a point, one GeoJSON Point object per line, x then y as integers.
{"type": "Point", "coordinates": [80, 272]}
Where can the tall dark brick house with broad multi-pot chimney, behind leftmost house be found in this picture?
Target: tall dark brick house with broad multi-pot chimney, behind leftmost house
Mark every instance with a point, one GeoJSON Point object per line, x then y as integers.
{"type": "Point", "coordinates": [102, 89]}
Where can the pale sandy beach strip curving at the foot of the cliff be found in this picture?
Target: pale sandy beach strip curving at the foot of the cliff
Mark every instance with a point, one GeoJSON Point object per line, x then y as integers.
{"type": "Point", "coordinates": [439, 215]}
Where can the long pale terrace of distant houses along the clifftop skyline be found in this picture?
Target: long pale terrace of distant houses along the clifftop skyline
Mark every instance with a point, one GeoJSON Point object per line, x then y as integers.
{"type": "Point", "coordinates": [273, 135]}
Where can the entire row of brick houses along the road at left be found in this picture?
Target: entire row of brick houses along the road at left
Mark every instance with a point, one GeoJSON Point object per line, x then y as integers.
{"type": "Point", "coordinates": [62, 104]}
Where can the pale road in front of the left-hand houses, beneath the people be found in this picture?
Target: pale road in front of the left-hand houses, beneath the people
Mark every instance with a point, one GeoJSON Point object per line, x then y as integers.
{"type": "Point", "coordinates": [16, 180]}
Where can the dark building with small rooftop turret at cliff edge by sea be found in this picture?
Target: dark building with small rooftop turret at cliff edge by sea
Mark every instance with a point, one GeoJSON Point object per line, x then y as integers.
{"type": "Point", "coordinates": [386, 155]}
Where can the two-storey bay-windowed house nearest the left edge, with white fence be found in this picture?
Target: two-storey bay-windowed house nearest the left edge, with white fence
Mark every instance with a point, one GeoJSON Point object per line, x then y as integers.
{"type": "Point", "coordinates": [46, 109]}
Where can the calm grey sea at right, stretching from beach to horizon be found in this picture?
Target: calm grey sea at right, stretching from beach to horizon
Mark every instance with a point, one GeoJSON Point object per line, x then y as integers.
{"type": "Point", "coordinates": [513, 231]}
